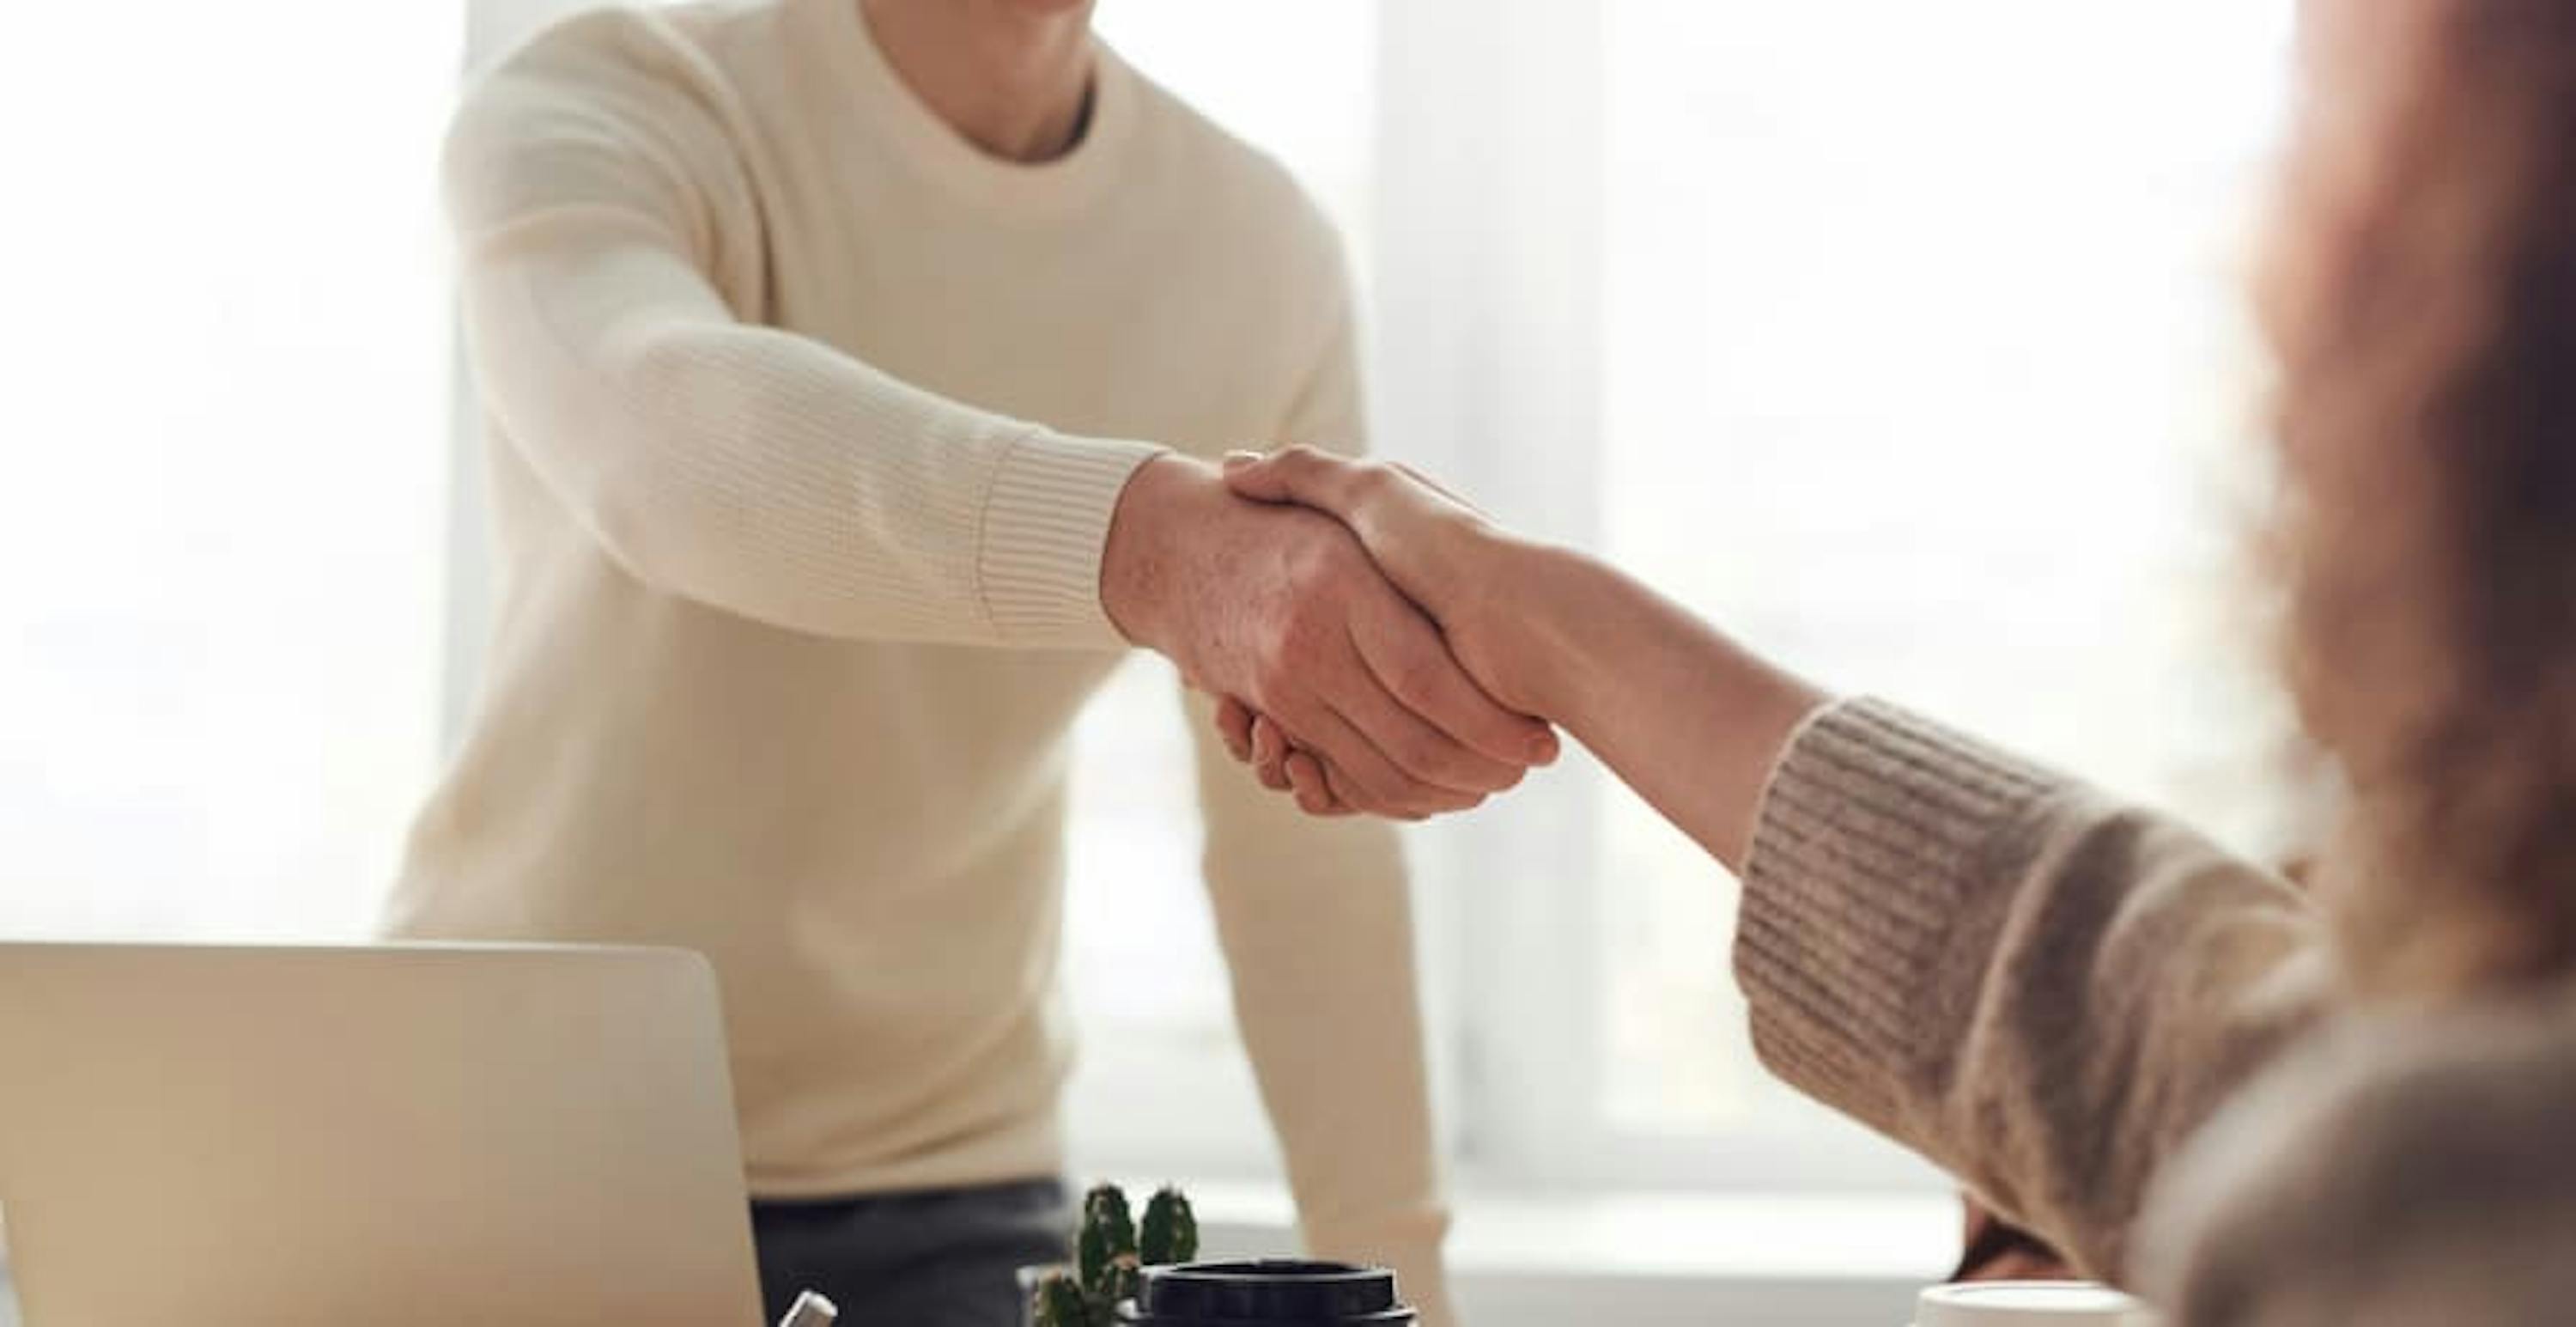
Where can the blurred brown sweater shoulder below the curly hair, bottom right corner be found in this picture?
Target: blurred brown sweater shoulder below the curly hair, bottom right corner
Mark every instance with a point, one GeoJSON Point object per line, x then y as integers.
{"type": "Point", "coordinates": [2400, 1166]}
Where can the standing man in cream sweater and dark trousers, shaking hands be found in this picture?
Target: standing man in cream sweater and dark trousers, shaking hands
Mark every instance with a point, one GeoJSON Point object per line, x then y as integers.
{"type": "Point", "coordinates": [851, 370]}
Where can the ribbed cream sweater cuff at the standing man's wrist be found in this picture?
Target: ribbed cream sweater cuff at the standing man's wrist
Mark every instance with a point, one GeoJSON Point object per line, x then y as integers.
{"type": "Point", "coordinates": [1047, 519]}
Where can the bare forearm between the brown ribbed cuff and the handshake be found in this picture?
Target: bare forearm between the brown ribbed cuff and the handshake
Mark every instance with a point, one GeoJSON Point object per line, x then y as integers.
{"type": "Point", "coordinates": [1683, 715]}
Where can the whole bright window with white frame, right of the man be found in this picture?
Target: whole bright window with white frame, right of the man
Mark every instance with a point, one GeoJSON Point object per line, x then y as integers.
{"type": "Point", "coordinates": [1902, 341]}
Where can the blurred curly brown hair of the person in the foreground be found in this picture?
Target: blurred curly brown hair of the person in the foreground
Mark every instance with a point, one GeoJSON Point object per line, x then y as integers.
{"type": "Point", "coordinates": [2423, 300]}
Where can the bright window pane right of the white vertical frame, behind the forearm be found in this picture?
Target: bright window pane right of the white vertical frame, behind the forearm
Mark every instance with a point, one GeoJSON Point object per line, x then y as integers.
{"type": "Point", "coordinates": [1926, 367]}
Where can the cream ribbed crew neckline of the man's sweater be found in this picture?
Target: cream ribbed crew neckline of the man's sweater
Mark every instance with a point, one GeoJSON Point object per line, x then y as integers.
{"type": "Point", "coordinates": [1019, 189]}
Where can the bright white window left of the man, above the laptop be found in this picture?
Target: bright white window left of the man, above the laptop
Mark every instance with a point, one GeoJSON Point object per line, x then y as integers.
{"type": "Point", "coordinates": [228, 455]}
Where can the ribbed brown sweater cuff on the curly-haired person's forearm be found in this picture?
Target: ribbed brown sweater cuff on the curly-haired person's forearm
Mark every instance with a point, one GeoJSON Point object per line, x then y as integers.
{"type": "Point", "coordinates": [1869, 849]}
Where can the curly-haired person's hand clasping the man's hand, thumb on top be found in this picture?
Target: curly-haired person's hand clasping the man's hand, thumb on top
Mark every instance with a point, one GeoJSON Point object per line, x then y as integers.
{"type": "Point", "coordinates": [1439, 550]}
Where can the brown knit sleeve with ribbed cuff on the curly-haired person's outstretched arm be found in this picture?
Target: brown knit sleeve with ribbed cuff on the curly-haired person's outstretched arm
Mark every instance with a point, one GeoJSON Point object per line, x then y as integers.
{"type": "Point", "coordinates": [2041, 991]}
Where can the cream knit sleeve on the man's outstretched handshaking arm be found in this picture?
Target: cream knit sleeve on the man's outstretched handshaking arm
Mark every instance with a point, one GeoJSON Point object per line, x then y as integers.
{"type": "Point", "coordinates": [609, 262]}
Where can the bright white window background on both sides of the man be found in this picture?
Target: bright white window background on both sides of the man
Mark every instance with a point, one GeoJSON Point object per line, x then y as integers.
{"type": "Point", "coordinates": [1900, 339]}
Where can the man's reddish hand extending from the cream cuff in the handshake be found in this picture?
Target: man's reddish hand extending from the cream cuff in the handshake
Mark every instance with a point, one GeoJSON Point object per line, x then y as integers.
{"type": "Point", "coordinates": [1282, 609]}
